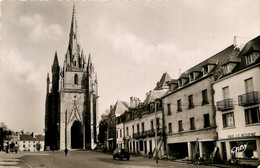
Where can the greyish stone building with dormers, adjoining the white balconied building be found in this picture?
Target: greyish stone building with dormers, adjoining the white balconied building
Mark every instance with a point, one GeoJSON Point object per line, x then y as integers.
{"type": "Point", "coordinates": [189, 108]}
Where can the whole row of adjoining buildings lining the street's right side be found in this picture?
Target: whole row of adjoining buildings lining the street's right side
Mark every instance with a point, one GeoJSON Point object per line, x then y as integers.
{"type": "Point", "coordinates": [212, 109]}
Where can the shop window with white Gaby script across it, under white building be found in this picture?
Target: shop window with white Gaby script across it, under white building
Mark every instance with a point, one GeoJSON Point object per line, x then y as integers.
{"type": "Point", "coordinates": [244, 149]}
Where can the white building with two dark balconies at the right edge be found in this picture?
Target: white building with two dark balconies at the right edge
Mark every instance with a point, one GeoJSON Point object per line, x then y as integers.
{"type": "Point", "coordinates": [237, 101]}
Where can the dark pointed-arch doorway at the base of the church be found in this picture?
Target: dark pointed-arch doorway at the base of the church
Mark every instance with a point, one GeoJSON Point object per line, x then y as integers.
{"type": "Point", "coordinates": [76, 135]}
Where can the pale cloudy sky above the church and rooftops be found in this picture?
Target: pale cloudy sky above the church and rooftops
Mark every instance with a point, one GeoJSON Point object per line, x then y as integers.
{"type": "Point", "coordinates": [131, 43]}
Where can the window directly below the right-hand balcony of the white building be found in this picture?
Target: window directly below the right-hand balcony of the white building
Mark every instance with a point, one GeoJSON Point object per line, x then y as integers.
{"type": "Point", "coordinates": [252, 115]}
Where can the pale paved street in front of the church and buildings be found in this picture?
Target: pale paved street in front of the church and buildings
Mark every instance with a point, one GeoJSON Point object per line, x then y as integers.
{"type": "Point", "coordinates": [78, 159]}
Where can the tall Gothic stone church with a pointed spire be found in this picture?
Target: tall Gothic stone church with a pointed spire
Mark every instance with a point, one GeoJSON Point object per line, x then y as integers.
{"type": "Point", "coordinates": [71, 99]}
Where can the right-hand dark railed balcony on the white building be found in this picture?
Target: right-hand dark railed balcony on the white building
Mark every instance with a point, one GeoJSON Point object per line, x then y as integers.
{"type": "Point", "coordinates": [248, 98]}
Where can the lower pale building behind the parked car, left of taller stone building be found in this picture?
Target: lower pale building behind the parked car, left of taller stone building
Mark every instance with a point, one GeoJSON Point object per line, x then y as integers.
{"type": "Point", "coordinates": [140, 129]}
